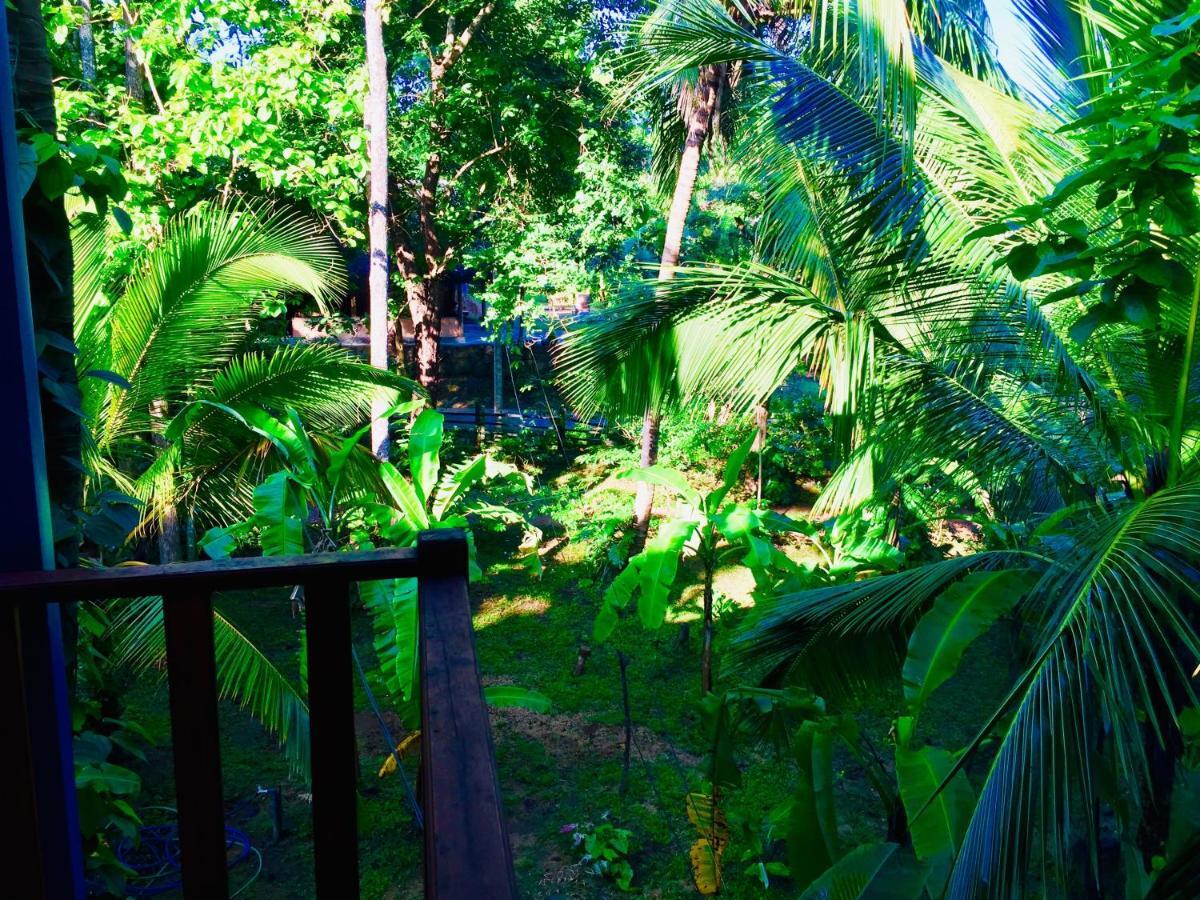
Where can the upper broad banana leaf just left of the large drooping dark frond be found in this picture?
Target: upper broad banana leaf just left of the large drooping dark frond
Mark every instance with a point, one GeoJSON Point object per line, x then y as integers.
{"type": "Point", "coordinates": [963, 613]}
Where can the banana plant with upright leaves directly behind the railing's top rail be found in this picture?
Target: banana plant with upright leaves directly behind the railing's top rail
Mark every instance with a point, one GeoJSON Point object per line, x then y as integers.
{"type": "Point", "coordinates": [333, 494]}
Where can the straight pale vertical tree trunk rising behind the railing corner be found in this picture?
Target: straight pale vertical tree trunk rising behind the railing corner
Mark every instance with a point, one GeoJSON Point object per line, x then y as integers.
{"type": "Point", "coordinates": [376, 116]}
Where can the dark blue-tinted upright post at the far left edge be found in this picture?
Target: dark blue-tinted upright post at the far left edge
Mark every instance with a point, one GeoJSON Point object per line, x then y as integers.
{"type": "Point", "coordinates": [37, 757]}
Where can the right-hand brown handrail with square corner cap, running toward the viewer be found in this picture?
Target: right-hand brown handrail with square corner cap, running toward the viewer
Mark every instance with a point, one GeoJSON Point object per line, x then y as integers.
{"type": "Point", "coordinates": [467, 851]}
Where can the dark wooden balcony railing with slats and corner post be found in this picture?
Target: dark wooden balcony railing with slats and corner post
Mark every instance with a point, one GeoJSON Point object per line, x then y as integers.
{"type": "Point", "coordinates": [467, 849]}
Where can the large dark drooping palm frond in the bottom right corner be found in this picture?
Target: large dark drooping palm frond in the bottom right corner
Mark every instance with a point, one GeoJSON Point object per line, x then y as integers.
{"type": "Point", "coordinates": [1113, 646]}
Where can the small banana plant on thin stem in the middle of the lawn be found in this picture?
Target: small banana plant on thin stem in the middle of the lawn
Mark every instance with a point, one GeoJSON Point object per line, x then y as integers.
{"type": "Point", "coordinates": [715, 530]}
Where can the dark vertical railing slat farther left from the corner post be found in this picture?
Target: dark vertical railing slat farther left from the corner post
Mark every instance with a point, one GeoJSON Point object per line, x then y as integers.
{"type": "Point", "coordinates": [195, 736]}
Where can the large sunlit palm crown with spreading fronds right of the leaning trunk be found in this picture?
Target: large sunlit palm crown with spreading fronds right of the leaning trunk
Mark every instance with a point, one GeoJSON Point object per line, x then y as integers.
{"type": "Point", "coordinates": [848, 220]}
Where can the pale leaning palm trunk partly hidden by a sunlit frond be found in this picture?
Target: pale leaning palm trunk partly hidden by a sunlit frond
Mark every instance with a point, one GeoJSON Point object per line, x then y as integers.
{"type": "Point", "coordinates": [704, 110]}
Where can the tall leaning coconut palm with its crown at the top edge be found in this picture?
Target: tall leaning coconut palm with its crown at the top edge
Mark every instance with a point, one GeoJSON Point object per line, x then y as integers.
{"type": "Point", "coordinates": [873, 50]}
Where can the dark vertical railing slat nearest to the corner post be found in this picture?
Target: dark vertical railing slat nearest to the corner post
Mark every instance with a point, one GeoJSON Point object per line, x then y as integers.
{"type": "Point", "coordinates": [332, 729]}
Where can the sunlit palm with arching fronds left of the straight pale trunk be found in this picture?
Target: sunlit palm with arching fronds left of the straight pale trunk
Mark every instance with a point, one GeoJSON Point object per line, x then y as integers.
{"type": "Point", "coordinates": [178, 332]}
